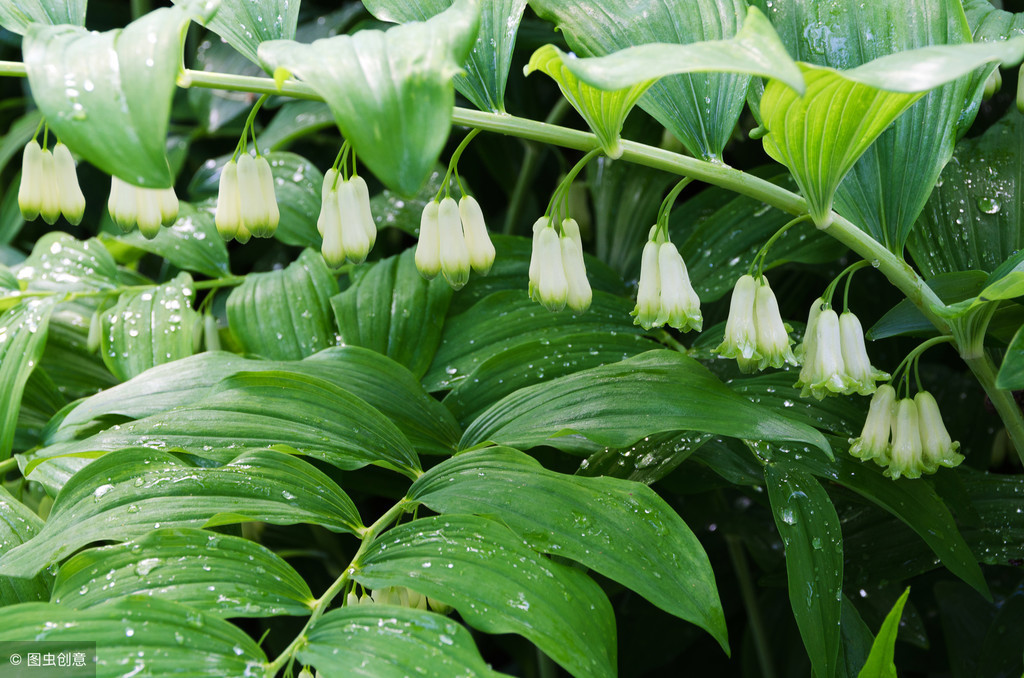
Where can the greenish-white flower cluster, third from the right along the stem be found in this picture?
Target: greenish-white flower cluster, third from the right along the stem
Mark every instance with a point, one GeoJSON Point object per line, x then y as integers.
{"type": "Point", "coordinates": [755, 333]}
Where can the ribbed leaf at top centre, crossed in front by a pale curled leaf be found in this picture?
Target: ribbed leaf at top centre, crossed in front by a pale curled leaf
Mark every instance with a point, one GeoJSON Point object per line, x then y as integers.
{"type": "Point", "coordinates": [700, 110]}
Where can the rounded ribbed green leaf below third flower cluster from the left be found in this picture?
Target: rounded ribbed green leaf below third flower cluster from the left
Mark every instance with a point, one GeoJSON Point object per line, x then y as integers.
{"type": "Point", "coordinates": [285, 315]}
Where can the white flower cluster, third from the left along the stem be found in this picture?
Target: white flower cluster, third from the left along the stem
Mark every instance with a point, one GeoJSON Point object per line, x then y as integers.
{"type": "Point", "coordinates": [246, 202]}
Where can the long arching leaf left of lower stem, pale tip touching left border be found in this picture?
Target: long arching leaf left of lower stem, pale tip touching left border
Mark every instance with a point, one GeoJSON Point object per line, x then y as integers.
{"type": "Point", "coordinates": [125, 495]}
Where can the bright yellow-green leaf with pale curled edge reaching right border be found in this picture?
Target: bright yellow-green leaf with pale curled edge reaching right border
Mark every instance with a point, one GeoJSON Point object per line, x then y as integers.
{"type": "Point", "coordinates": [821, 136]}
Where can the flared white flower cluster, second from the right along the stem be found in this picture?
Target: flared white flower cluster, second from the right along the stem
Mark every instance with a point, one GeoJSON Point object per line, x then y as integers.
{"type": "Point", "coordinates": [835, 357]}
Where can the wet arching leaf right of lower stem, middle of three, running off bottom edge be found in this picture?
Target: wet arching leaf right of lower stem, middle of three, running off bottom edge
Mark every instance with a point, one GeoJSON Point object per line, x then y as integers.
{"type": "Point", "coordinates": [498, 585]}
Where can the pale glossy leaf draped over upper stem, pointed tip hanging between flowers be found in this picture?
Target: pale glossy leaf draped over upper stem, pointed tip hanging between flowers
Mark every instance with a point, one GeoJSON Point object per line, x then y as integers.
{"type": "Point", "coordinates": [391, 94]}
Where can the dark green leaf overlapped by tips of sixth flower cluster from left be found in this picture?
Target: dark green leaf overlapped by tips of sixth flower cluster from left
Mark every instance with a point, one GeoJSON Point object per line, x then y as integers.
{"type": "Point", "coordinates": [506, 320]}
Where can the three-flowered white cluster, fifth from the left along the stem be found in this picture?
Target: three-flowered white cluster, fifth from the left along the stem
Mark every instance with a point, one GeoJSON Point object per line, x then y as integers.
{"type": "Point", "coordinates": [453, 240]}
